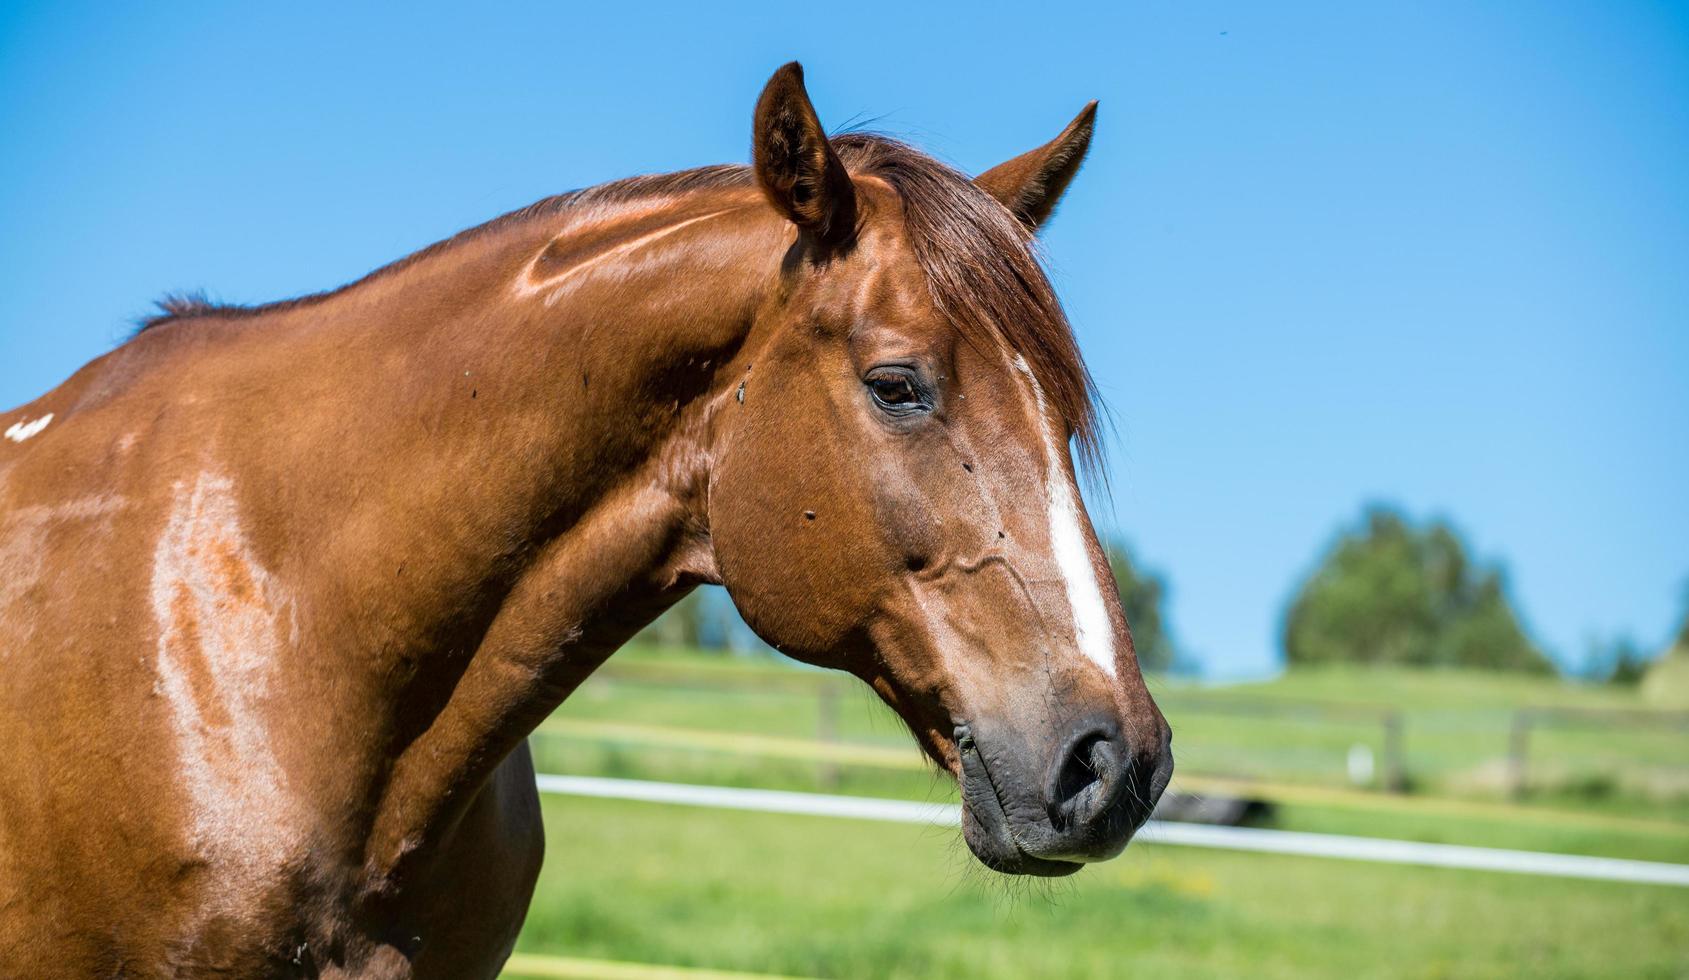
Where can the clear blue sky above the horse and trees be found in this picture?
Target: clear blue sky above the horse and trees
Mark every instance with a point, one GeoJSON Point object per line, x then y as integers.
{"type": "Point", "coordinates": [1433, 254]}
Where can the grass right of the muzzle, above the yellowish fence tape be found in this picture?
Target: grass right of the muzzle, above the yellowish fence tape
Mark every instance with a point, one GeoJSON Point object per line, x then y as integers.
{"type": "Point", "coordinates": [1589, 744]}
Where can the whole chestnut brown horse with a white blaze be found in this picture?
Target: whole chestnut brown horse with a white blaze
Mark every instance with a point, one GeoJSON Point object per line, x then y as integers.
{"type": "Point", "coordinates": [285, 589]}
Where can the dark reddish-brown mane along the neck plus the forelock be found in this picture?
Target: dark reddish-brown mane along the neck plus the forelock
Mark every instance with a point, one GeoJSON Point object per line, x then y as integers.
{"type": "Point", "coordinates": [979, 259]}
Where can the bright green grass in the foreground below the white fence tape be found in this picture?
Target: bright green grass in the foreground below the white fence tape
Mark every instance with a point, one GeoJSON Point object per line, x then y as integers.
{"type": "Point", "coordinates": [832, 898]}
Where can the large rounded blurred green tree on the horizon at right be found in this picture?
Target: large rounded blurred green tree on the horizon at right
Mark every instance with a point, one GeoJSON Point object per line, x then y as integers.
{"type": "Point", "coordinates": [1394, 594]}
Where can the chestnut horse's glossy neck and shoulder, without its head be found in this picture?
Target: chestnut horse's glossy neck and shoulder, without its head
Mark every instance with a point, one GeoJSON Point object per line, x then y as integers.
{"type": "Point", "coordinates": [247, 575]}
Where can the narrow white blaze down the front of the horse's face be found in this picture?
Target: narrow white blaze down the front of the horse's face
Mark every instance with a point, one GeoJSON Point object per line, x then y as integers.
{"type": "Point", "coordinates": [1094, 633]}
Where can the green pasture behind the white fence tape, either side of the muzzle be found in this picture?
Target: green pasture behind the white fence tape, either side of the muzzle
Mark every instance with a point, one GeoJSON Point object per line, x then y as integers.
{"type": "Point", "coordinates": [687, 717]}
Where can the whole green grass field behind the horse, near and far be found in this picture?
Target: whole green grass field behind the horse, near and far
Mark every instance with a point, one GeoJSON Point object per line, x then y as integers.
{"type": "Point", "coordinates": [830, 898]}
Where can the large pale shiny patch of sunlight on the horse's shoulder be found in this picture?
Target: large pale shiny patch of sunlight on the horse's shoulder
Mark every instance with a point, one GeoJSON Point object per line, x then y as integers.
{"type": "Point", "coordinates": [219, 645]}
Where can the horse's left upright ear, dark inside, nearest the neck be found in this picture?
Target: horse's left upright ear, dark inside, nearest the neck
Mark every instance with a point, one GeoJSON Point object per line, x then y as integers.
{"type": "Point", "coordinates": [796, 166]}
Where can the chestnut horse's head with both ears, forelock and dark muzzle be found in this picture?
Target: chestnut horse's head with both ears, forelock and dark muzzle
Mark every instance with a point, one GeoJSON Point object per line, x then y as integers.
{"type": "Point", "coordinates": [896, 493]}
